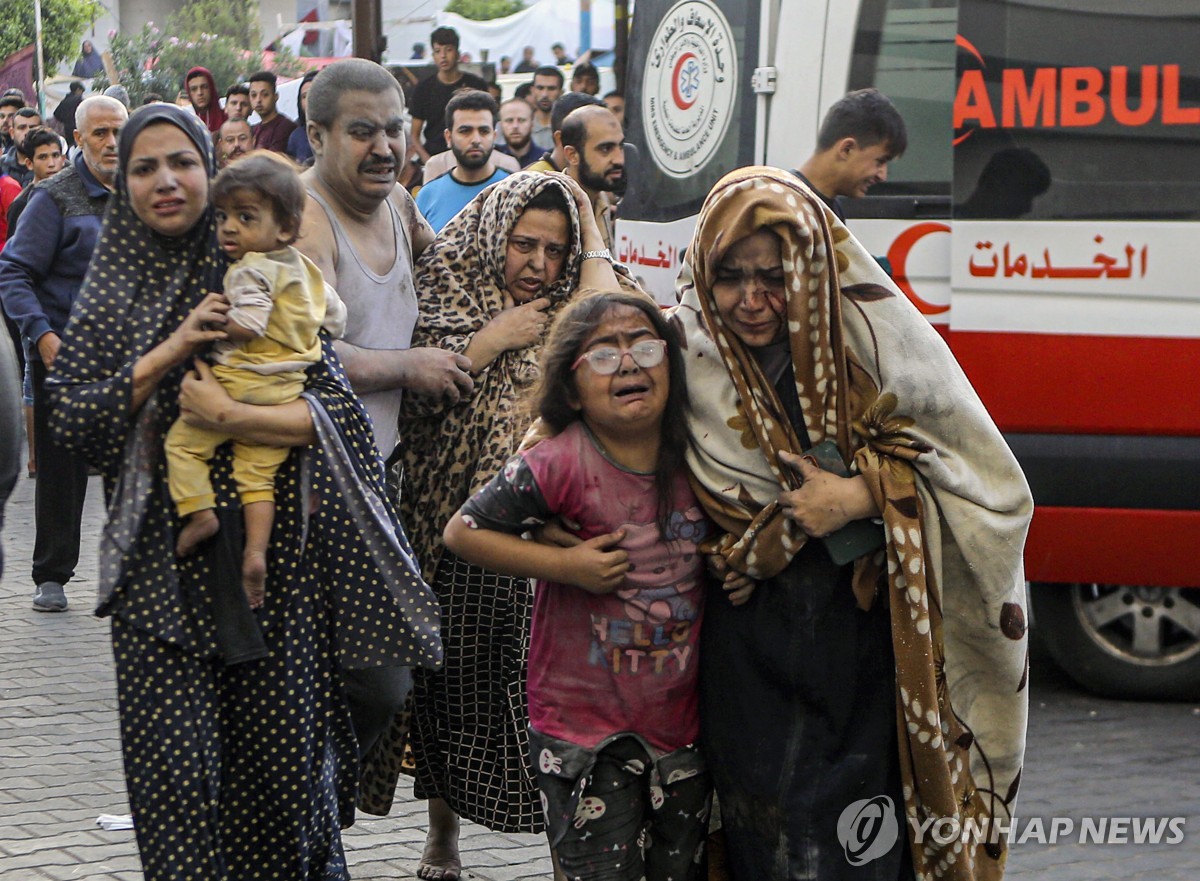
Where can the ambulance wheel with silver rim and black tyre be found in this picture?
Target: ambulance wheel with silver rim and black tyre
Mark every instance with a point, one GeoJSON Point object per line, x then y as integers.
{"type": "Point", "coordinates": [1123, 640]}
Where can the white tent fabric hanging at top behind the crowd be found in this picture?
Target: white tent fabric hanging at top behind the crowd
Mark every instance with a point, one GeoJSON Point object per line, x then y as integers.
{"type": "Point", "coordinates": [541, 25]}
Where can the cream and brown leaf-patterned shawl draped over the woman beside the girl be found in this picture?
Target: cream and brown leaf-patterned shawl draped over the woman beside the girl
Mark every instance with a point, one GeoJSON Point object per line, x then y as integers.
{"type": "Point", "coordinates": [873, 376]}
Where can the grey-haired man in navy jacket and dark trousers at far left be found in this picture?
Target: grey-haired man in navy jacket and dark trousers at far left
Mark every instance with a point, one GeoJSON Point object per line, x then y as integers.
{"type": "Point", "coordinates": [41, 271]}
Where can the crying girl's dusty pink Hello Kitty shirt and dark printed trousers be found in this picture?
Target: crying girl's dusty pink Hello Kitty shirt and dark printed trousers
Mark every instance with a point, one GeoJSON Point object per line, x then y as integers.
{"type": "Point", "coordinates": [614, 715]}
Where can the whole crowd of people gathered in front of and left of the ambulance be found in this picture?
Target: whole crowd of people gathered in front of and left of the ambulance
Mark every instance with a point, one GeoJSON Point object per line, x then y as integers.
{"type": "Point", "coordinates": [429, 486]}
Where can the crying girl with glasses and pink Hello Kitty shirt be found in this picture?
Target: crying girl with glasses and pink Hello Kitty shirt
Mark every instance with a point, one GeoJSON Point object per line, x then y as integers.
{"type": "Point", "coordinates": [614, 661]}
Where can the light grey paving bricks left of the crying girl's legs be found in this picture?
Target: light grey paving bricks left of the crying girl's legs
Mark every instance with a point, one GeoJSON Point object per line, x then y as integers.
{"type": "Point", "coordinates": [61, 762]}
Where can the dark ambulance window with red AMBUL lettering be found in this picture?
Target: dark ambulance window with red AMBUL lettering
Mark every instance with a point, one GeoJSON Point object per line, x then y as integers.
{"type": "Point", "coordinates": [1085, 110]}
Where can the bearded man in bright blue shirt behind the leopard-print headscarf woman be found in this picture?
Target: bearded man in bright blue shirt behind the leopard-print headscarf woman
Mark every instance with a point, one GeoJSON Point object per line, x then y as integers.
{"type": "Point", "coordinates": [471, 133]}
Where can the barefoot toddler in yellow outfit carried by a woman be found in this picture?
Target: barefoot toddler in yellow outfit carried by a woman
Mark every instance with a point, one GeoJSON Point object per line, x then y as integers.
{"type": "Point", "coordinates": [278, 304]}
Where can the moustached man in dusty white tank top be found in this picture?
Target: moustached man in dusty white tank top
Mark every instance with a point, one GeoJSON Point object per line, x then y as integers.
{"type": "Point", "coordinates": [364, 233]}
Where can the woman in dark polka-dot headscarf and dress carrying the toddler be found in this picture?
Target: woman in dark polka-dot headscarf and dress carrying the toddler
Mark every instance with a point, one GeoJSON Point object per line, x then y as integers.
{"type": "Point", "coordinates": [239, 748]}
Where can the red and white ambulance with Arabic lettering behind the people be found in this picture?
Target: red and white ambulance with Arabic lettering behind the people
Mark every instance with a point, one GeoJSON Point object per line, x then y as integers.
{"type": "Point", "coordinates": [1046, 219]}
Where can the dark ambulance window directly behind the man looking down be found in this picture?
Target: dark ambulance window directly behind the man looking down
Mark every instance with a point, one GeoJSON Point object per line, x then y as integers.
{"type": "Point", "coordinates": [905, 49]}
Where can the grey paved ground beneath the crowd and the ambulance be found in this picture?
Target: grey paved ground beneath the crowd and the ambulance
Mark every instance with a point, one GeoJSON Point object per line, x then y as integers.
{"type": "Point", "coordinates": [61, 760]}
